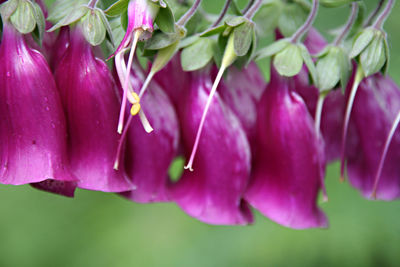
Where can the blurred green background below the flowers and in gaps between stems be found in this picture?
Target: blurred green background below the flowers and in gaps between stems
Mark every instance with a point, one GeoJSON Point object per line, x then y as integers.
{"type": "Point", "coordinates": [99, 229]}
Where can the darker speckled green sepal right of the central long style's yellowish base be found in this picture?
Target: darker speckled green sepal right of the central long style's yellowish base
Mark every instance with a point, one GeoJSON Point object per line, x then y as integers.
{"type": "Point", "coordinates": [242, 38]}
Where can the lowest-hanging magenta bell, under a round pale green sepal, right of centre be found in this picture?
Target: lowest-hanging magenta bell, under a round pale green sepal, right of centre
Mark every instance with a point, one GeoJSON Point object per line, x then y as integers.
{"type": "Point", "coordinates": [287, 172]}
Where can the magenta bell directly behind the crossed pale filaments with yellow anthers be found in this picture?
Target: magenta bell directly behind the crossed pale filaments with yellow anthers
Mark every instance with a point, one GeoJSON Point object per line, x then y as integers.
{"type": "Point", "coordinates": [149, 155]}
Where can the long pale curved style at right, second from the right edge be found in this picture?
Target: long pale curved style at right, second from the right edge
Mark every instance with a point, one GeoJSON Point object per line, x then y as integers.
{"type": "Point", "coordinates": [357, 80]}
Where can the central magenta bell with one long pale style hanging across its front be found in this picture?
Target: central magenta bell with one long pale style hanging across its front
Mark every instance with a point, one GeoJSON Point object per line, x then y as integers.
{"type": "Point", "coordinates": [213, 192]}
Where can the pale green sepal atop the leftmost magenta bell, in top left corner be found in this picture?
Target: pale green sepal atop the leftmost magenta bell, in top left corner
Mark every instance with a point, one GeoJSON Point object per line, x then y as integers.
{"type": "Point", "coordinates": [23, 18]}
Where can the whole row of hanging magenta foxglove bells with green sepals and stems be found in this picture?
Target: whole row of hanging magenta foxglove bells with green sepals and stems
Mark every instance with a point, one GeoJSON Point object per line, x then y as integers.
{"type": "Point", "coordinates": [68, 120]}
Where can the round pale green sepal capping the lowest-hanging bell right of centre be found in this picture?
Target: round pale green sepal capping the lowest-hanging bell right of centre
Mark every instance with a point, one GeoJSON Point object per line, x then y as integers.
{"type": "Point", "coordinates": [289, 61]}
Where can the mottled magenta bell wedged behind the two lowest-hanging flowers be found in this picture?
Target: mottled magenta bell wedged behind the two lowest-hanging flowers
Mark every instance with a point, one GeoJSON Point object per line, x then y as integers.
{"type": "Point", "coordinates": [241, 90]}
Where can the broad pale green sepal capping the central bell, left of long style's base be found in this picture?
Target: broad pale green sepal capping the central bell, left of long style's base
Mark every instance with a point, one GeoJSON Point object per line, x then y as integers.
{"type": "Point", "coordinates": [197, 55]}
